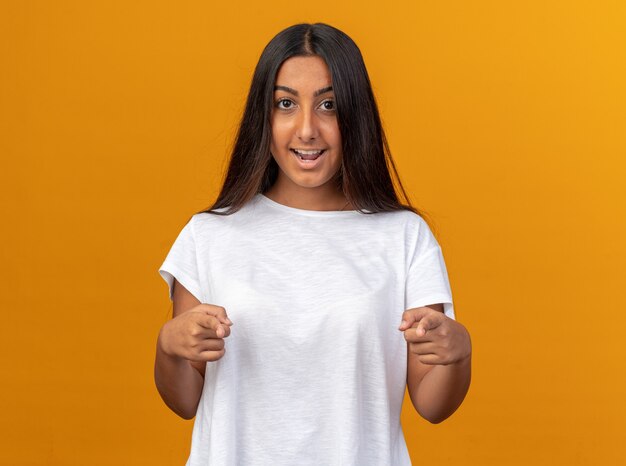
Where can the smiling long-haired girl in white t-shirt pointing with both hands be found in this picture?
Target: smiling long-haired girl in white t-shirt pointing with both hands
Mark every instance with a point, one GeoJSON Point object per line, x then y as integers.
{"type": "Point", "coordinates": [307, 298]}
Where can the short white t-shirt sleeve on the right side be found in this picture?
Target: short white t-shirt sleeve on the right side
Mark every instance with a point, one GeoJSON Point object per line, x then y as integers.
{"type": "Point", "coordinates": [427, 277]}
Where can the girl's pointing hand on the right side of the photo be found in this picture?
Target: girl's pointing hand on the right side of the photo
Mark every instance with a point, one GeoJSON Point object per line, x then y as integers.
{"type": "Point", "coordinates": [434, 337]}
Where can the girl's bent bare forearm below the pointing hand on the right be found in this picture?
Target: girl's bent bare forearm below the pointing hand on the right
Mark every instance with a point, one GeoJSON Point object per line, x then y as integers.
{"type": "Point", "coordinates": [442, 390]}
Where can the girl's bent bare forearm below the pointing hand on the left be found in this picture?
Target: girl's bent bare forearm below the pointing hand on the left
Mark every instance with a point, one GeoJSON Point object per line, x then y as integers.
{"type": "Point", "coordinates": [178, 382]}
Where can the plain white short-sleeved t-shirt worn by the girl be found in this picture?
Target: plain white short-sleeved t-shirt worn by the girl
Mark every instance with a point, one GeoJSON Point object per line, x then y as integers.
{"type": "Point", "coordinates": [314, 371]}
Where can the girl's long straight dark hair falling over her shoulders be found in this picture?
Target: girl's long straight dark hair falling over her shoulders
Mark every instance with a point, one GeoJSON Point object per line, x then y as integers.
{"type": "Point", "coordinates": [364, 176]}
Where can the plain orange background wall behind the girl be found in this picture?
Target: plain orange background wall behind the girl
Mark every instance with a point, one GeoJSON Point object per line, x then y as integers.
{"type": "Point", "coordinates": [506, 119]}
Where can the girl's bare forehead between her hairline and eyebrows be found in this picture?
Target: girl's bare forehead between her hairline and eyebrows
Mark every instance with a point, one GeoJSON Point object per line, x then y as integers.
{"type": "Point", "coordinates": [304, 73]}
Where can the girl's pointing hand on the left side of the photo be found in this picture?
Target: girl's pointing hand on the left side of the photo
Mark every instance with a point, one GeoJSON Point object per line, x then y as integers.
{"type": "Point", "coordinates": [197, 334]}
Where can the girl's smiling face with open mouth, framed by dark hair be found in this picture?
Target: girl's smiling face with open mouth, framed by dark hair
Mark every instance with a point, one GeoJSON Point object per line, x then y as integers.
{"type": "Point", "coordinates": [304, 126]}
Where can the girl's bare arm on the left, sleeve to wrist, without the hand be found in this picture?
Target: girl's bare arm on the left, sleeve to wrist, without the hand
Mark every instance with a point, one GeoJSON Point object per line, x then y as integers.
{"type": "Point", "coordinates": [178, 380]}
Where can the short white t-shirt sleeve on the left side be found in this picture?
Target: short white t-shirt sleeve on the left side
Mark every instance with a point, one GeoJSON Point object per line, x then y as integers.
{"type": "Point", "coordinates": [181, 263]}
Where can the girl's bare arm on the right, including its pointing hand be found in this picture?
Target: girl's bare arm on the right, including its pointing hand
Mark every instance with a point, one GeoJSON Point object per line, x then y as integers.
{"type": "Point", "coordinates": [439, 363]}
